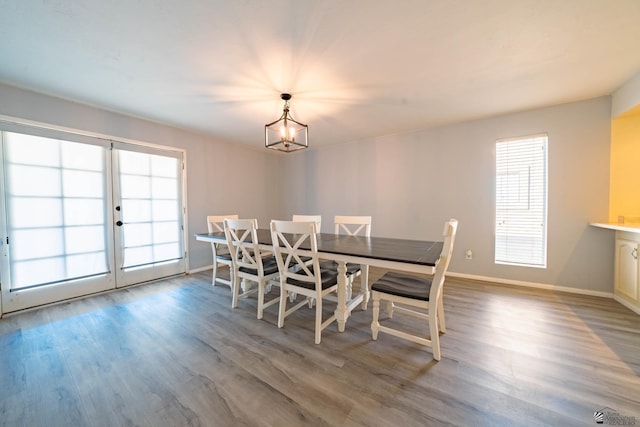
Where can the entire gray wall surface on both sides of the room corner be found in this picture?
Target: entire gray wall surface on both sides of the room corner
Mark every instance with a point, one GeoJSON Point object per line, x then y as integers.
{"type": "Point", "coordinates": [410, 183]}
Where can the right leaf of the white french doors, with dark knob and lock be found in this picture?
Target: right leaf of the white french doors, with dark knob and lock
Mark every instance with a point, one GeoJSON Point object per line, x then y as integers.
{"type": "Point", "coordinates": [148, 200]}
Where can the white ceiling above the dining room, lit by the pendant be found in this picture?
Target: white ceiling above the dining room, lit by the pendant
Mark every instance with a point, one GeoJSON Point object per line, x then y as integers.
{"type": "Point", "coordinates": [356, 68]}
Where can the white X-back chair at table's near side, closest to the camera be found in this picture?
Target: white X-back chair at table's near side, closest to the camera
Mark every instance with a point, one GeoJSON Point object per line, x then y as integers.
{"type": "Point", "coordinates": [297, 276]}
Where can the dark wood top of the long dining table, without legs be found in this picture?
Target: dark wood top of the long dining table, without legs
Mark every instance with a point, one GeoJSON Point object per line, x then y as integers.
{"type": "Point", "coordinates": [419, 252]}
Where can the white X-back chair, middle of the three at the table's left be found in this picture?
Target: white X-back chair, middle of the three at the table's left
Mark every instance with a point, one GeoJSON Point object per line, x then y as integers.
{"type": "Point", "coordinates": [249, 262]}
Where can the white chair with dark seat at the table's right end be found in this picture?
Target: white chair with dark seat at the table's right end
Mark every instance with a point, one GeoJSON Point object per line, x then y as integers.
{"type": "Point", "coordinates": [423, 295]}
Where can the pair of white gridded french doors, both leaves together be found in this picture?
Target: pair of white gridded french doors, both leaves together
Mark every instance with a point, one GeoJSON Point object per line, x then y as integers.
{"type": "Point", "coordinates": [82, 215]}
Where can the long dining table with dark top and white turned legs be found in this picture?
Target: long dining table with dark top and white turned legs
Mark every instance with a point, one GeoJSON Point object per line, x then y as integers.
{"type": "Point", "coordinates": [407, 255]}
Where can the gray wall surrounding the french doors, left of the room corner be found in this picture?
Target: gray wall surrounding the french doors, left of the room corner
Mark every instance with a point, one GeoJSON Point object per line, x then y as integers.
{"type": "Point", "coordinates": [221, 178]}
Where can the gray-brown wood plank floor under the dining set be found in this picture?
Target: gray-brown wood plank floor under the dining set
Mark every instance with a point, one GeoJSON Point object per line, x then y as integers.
{"type": "Point", "coordinates": [173, 353]}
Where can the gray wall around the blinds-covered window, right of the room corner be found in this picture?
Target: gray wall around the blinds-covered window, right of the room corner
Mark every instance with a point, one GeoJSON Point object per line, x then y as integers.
{"type": "Point", "coordinates": [412, 183]}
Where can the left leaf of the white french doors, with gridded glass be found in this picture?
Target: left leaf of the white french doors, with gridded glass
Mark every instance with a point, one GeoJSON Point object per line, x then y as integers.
{"type": "Point", "coordinates": [56, 220]}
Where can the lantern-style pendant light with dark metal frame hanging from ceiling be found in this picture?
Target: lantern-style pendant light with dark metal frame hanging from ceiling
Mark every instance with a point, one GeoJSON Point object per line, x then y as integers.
{"type": "Point", "coordinates": [286, 134]}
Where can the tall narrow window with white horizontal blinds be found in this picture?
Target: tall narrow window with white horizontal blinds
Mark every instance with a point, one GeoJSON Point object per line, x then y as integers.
{"type": "Point", "coordinates": [521, 201]}
